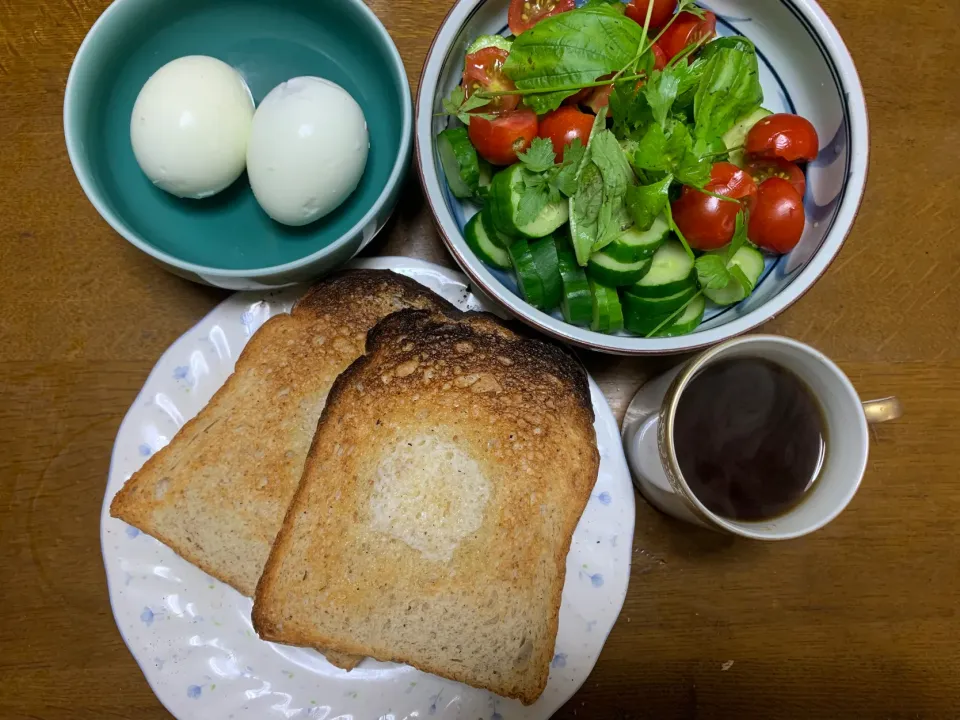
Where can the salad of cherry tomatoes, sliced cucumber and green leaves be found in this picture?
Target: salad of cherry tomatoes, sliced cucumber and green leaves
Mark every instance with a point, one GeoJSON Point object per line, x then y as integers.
{"type": "Point", "coordinates": [627, 170]}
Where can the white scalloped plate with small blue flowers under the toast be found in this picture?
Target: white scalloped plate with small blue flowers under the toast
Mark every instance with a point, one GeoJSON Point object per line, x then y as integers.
{"type": "Point", "coordinates": [192, 634]}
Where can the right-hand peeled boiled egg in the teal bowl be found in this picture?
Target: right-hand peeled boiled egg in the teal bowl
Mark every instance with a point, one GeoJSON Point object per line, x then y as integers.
{"type": "Point", "coordinates": [308, 149]}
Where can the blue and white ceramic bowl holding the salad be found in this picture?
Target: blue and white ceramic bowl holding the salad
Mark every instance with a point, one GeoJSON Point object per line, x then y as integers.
{"type": "Point", "coordinates": [805, 68]}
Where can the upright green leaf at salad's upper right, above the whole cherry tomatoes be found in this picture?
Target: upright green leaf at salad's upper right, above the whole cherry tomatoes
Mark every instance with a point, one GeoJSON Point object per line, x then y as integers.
{"type": "Point", "coordinates": [730, 87]}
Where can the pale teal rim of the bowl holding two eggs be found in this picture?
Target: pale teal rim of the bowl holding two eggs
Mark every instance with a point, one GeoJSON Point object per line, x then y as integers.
{"type": "Point", "coordinates": [75, 153]}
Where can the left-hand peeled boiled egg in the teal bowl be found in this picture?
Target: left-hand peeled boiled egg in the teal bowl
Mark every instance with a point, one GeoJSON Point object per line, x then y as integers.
{"type": "Point", "coordinates": [190, 126]}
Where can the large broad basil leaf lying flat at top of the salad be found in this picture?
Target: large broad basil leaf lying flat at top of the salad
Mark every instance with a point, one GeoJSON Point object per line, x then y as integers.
{"type": "Point", "coordinates": [570, 49]}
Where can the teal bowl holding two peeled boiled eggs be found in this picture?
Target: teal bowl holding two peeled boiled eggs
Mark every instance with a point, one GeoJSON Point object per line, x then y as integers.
{"type": "Point", "coordinates": [227, 240]}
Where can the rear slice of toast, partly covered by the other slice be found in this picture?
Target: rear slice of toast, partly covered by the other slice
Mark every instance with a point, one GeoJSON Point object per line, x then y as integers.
{"type": "Point", "coordinates": [218, 492]}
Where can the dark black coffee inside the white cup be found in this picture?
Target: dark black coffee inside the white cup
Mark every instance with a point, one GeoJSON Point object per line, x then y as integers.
{"type": "Point", "coordinates": [749, 437]}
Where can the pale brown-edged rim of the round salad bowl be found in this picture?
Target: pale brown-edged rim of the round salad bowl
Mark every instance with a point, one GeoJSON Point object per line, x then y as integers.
{"type": "Point", "coordinates": [848, 78]}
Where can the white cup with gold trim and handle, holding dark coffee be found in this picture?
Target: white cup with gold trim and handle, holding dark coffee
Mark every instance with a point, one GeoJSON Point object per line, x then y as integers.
{"type": "Point", "coordinates": [649, 443]}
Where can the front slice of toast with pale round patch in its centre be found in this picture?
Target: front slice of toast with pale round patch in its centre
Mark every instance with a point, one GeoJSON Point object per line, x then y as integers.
{"type": "Point", "coordinates": [432, 524]}
